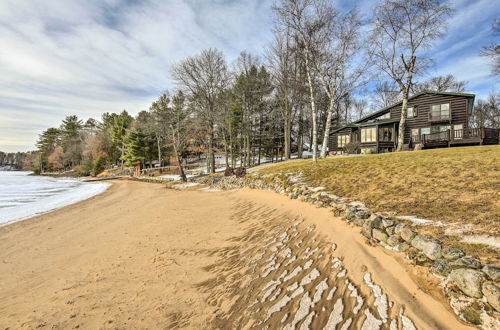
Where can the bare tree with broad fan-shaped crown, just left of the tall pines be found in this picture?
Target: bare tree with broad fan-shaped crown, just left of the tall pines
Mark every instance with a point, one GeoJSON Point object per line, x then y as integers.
{"type": "Point", "coordinates": [204, 77]}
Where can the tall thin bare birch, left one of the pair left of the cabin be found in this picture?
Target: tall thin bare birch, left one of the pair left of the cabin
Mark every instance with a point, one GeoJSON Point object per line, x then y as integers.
{"type": "Point", "coordinates": [307, 21]}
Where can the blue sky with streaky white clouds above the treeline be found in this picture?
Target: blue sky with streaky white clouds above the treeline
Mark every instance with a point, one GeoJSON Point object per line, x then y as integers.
{"type": "Point", "coordinates": [87, 57]}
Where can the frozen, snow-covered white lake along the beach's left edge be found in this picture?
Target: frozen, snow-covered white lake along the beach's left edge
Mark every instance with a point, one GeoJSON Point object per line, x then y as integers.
{"type": "Point", "coordinates": [23, 196]}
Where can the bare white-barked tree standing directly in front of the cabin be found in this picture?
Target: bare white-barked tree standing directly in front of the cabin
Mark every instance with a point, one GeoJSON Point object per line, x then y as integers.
{"type": "Point", "coordinates": [402, 29]}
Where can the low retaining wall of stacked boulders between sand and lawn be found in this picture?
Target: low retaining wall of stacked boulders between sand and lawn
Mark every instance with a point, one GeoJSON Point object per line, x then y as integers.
{"type": "Point", "coordinates": [472, 288]}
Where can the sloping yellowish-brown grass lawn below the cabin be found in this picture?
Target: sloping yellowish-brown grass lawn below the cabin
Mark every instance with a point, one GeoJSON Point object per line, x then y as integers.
{"type": "Point", "coordinates": [451, 185]}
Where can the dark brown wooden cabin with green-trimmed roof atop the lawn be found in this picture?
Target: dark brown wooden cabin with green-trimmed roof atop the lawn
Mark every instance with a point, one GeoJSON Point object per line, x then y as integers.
{"type": "Point", "coordinates": [434, 119]}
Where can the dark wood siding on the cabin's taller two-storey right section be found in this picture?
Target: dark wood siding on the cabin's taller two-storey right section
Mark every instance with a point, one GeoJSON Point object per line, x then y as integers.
{"type": "Point", "coordinates": [423, 103]}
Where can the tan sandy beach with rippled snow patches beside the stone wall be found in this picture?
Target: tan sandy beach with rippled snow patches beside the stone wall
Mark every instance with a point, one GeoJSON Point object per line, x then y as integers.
{"type": "Point", "coordinates": [141, 256]}
